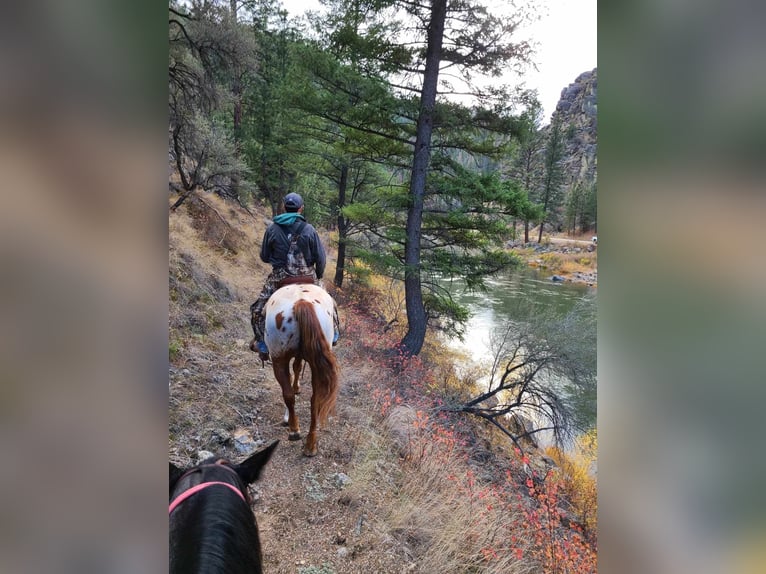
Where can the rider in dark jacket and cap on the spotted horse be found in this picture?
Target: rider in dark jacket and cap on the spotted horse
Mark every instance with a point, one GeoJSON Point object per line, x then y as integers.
{"type": "Point", "coordinates": [305, 264]}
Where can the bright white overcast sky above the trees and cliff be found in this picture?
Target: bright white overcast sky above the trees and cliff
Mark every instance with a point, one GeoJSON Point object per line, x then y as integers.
{"type": "Point", "coordinates": [566, 38]}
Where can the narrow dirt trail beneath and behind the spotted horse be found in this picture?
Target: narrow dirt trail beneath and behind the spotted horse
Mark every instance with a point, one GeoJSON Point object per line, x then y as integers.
{"type": "Point", "coordinates": [311, 520]}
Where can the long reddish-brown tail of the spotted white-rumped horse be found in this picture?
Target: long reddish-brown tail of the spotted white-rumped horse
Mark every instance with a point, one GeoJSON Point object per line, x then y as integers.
{"type": "Point", "coordinates": [316, 351]}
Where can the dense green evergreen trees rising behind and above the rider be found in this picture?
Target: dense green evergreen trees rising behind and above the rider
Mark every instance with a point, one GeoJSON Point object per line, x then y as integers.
{"type": "Point", "coordinates": [337, 109]}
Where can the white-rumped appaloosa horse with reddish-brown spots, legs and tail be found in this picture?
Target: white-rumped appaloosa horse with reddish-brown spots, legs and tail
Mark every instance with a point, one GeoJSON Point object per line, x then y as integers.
{"type": "Point", "coordinates": [299, 325]}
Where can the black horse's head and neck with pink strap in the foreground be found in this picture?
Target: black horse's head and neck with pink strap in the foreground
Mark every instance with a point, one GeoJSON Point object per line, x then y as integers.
{"type": "Point", "coordinates": [212, 528]}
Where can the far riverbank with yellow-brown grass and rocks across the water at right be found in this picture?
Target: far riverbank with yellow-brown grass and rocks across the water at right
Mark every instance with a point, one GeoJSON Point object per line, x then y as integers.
{"type": "Point", "coordinates": [564, 259]}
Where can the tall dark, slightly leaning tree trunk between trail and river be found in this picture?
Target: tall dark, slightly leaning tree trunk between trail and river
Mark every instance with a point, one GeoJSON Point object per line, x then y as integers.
{"type": "Point", "coordinates": [413, 340]}
